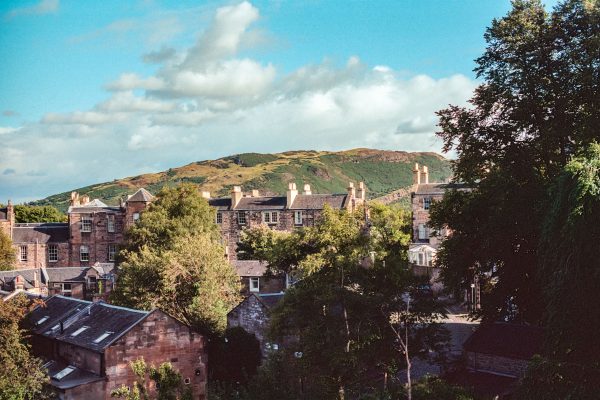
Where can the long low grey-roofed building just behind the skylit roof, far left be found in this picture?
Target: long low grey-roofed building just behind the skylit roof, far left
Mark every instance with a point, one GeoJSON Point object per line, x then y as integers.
{"type": "Point", "coordinates": [91, 283]}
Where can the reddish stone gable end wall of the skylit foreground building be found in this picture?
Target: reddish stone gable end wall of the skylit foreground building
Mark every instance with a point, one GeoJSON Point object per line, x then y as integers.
{"type": "Point", "coordinates": [159, 338]}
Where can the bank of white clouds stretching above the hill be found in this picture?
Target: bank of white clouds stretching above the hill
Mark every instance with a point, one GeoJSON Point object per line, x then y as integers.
{"type": "Point", "coordinates": [208, 101]}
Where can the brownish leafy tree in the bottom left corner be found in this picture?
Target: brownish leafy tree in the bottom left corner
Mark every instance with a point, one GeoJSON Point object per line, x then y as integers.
{"type": "Point", "coordinates": [21, 376]}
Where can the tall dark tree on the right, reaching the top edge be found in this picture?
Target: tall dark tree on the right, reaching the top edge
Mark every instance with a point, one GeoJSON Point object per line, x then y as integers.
{"type": "Point", "coordinates": [538, 105]}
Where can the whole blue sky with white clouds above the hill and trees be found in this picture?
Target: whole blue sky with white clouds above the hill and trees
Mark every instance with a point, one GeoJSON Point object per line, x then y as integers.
{"type": "Point", "coordinates": [96, 91]}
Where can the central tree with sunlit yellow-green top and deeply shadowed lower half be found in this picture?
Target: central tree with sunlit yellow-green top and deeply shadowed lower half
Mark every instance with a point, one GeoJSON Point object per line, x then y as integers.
{"type": "Point", "coordinates": [353, 275]}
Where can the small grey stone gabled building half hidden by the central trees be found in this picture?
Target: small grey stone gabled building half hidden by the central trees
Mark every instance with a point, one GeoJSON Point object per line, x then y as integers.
{"type": "Point", "coordinates": [252, 314]}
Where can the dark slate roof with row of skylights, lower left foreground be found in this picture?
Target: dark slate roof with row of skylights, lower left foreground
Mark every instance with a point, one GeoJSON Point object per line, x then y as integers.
{"type": "Point", "coordinates": [99, 318]}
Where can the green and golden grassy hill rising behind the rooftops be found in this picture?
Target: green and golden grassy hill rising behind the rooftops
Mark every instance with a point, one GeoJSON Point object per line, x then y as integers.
{"type": "Point", "coordinates": [327, 172]}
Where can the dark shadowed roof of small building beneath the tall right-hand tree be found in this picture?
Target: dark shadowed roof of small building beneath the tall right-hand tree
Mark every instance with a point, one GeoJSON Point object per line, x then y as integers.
{"type": "Point", "coordinates": [506, 340]}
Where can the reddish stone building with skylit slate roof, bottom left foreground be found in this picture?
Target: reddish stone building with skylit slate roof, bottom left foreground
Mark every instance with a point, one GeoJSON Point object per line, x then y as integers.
{"type": "Point", "coordinates": [88, 346]}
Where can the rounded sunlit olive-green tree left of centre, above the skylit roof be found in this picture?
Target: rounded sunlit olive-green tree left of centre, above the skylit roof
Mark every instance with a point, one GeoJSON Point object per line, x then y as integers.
{"type": "Point", "coordinates": [172, 259]}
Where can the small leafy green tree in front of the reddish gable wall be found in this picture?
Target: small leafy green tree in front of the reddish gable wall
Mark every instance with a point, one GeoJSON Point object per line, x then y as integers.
{"type": "Point", "coordinates": [167, 381]}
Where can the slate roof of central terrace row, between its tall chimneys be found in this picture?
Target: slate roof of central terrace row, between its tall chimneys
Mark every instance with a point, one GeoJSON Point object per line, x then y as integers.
{"type": "Point", "coordinates": [301, 202]}
